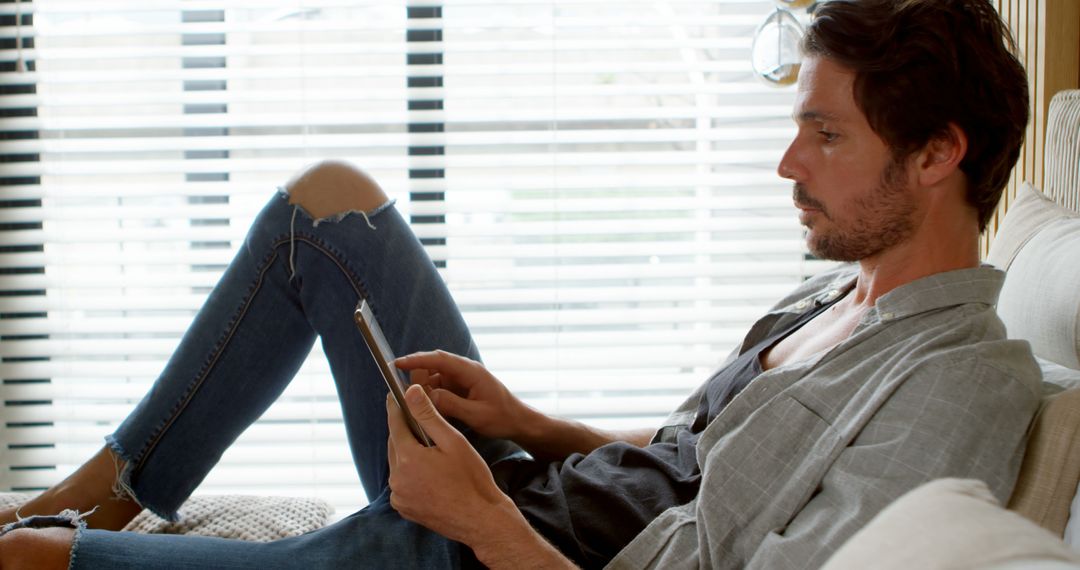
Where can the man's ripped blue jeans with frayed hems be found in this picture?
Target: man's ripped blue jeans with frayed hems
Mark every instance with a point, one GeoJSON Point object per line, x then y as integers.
{"type": "Point", "coordinates": [293, 281]}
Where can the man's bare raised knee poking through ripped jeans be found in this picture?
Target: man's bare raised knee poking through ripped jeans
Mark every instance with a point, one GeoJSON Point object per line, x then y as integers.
{"type": "Point", "coordinates": [333, 187]}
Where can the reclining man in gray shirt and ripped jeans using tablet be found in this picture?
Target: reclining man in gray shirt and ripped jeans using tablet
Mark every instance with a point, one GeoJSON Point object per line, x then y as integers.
{"type": "Point", "coordinates": [858, 387]}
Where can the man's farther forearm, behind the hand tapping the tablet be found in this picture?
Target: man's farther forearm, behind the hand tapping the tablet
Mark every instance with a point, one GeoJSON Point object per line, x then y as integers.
{"type": "Point", "coordinates": [548, 438]}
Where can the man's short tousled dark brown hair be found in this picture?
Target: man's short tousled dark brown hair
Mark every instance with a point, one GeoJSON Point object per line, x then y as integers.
{"type": "Point", "coordinates": [921, 65]}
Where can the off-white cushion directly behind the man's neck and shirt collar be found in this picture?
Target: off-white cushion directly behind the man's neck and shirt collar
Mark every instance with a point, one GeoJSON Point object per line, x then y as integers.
{"type": "Point", "coordinates": [1039, 245]}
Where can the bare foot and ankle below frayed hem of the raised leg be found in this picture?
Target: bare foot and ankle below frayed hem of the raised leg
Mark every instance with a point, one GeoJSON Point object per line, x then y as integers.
{"type": "Point", "coordinates": [91, 486]}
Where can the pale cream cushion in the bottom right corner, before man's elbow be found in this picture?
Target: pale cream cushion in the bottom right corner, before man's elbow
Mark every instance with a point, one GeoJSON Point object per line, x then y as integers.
{"type": "Point", "coordinates": [951, 524]}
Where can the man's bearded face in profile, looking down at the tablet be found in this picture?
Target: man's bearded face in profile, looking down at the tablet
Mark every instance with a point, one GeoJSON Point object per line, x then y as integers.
{"type": "Point", "coordinates": [853, 197]}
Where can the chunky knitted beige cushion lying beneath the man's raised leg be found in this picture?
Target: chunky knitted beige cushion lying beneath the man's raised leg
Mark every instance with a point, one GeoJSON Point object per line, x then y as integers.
{"type": "Point", "coordinates": [228, 517]}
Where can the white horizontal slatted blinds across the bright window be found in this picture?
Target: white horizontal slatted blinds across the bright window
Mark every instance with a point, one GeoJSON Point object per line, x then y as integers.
{"type": "Point", "coordinates": [595, 180]}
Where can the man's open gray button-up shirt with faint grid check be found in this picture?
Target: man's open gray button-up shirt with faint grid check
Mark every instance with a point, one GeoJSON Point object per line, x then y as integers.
{"type": "Point", "coordinates": [927, 387]}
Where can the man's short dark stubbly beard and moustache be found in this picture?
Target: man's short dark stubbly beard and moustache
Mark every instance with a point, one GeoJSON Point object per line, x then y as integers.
{"type": "Point", "coordinates": [868, 226]}
